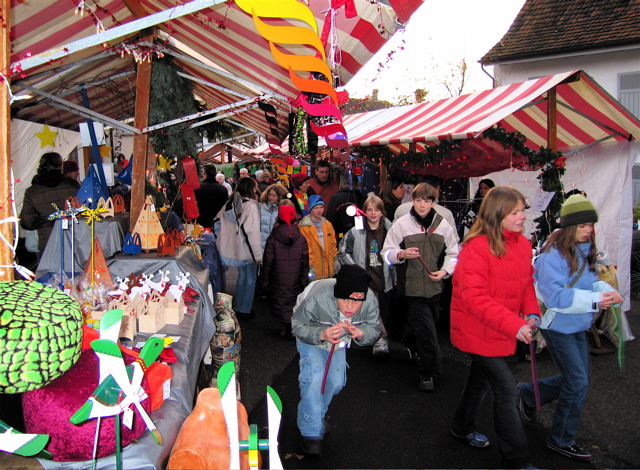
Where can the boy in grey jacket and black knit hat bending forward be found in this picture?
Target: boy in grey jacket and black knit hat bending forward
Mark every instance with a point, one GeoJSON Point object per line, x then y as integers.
{"type": "Point", "coordinates": [327, 315]}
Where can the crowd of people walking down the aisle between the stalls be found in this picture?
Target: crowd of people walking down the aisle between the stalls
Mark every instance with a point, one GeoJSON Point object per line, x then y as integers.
{"type": "Point", "coordinates": [332, 260]}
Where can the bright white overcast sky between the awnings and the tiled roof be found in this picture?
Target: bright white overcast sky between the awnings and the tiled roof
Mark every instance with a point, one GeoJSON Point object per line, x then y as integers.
{"type": "Point", "coordinates": [440, 33]}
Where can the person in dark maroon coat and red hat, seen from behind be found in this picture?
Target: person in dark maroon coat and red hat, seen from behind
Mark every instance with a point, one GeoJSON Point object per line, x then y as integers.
{"type": "Point", "coordinates": [285, 269]}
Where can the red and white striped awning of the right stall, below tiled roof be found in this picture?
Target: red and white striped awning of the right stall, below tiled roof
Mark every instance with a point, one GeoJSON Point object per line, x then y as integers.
{"type": "Point", "coordinates": [586, 115]}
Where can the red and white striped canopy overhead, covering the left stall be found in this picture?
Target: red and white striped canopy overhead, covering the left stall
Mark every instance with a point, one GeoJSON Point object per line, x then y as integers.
{"type": "Point", "coordinates": [223, 35]}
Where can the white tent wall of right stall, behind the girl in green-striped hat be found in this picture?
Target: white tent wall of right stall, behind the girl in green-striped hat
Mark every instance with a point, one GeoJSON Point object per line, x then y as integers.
{"type": "Point", "coordinates": [604, 173]}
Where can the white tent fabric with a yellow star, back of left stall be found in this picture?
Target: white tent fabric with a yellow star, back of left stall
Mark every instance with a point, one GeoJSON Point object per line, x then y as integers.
{"type": "Point", "coordinates": [26, 151]}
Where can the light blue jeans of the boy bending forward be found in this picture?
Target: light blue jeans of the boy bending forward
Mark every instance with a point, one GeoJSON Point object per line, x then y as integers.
{"type": "Point", "coordinates": [313, 403]}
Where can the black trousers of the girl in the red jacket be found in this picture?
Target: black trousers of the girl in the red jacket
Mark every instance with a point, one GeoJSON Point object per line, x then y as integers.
{"type": "Point", "coordinates": [494, 373]}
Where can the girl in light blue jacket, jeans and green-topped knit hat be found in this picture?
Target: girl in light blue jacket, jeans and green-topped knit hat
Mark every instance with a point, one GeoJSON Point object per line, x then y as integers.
{"type": "Point", "coordinates": [567, 282]}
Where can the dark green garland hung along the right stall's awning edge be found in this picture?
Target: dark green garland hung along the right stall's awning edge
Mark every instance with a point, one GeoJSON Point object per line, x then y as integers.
{"type": "Point", "coordinates": [551, 165]}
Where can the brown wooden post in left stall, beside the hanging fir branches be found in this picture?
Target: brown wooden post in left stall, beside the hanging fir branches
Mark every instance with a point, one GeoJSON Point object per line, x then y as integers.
{"type": "Point", "coordinates": [140, 141]}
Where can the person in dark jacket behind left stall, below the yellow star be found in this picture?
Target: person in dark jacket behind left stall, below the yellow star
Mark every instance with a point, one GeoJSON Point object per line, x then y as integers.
{"type": "Point", "coordinates": [48, 187]}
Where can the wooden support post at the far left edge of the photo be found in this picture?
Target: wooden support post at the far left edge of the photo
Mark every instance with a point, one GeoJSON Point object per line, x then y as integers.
{"type": "Point", "coordinates": [6, 255]}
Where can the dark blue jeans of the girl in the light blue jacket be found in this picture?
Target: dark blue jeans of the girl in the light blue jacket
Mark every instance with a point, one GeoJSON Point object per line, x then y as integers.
{"type": "Point", "coordinates": [570, 353]}
